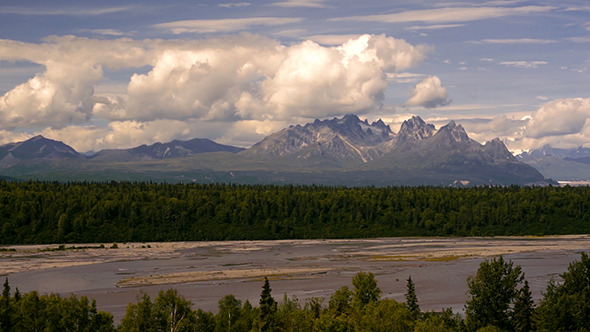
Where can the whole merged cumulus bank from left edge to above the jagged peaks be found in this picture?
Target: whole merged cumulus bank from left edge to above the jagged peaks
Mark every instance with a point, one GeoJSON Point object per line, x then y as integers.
{"type": "Point", "coordinates": [242, 79]}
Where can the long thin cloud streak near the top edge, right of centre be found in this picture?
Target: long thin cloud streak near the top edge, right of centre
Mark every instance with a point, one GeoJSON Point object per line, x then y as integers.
{"type": "Point", "coordinates": [449, 15]}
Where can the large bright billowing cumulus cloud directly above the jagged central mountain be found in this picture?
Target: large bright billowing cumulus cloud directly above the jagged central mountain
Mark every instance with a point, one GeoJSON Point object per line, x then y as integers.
{"type": "Point", "coordinates": [259, 79]}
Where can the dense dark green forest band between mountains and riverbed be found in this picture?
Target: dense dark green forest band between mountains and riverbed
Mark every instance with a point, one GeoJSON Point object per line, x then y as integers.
{"type": "Point", "coordinates": [41, 212]}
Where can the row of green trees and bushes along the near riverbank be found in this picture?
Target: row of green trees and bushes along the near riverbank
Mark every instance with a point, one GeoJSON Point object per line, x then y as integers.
{"type": "Point", "coordinates": [500, 300]}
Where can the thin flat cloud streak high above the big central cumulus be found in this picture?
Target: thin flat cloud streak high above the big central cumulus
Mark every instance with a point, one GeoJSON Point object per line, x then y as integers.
{"type": "Point", "coordinates": [223, 25]}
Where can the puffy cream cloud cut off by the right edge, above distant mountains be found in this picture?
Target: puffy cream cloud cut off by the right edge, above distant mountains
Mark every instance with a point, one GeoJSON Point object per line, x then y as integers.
{"type": "Point", "coordinates": [559, 117]}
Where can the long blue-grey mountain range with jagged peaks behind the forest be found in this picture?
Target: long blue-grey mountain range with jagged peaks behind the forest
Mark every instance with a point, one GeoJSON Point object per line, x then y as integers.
{"type": "Point", "coordinates": [338, 151]}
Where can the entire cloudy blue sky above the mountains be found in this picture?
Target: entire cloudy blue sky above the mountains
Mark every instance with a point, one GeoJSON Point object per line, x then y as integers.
{"type": "Point", "coordinates": [113, 74]}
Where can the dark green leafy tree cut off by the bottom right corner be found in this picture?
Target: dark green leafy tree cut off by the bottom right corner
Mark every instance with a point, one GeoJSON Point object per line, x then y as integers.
{"type": "Point", "coordinates": [566, 306]}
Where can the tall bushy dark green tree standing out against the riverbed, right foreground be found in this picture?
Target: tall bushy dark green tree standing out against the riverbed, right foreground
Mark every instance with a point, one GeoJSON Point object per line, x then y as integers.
{"type": "Point", "coordinates": [493, 290]}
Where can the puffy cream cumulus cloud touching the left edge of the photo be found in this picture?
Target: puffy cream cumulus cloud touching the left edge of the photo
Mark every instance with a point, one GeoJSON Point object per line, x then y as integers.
{"type": "Point", "coordinates": [64, 93]}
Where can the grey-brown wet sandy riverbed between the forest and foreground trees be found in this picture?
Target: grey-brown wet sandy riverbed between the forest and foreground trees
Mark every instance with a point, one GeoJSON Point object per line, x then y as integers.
{"type": "Point", "coordinates": [203, 272]}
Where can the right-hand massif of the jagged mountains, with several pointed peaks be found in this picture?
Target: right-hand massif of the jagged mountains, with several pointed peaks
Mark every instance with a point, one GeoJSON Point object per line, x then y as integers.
{"type": "Point", "coordinates": [449, 155]}
